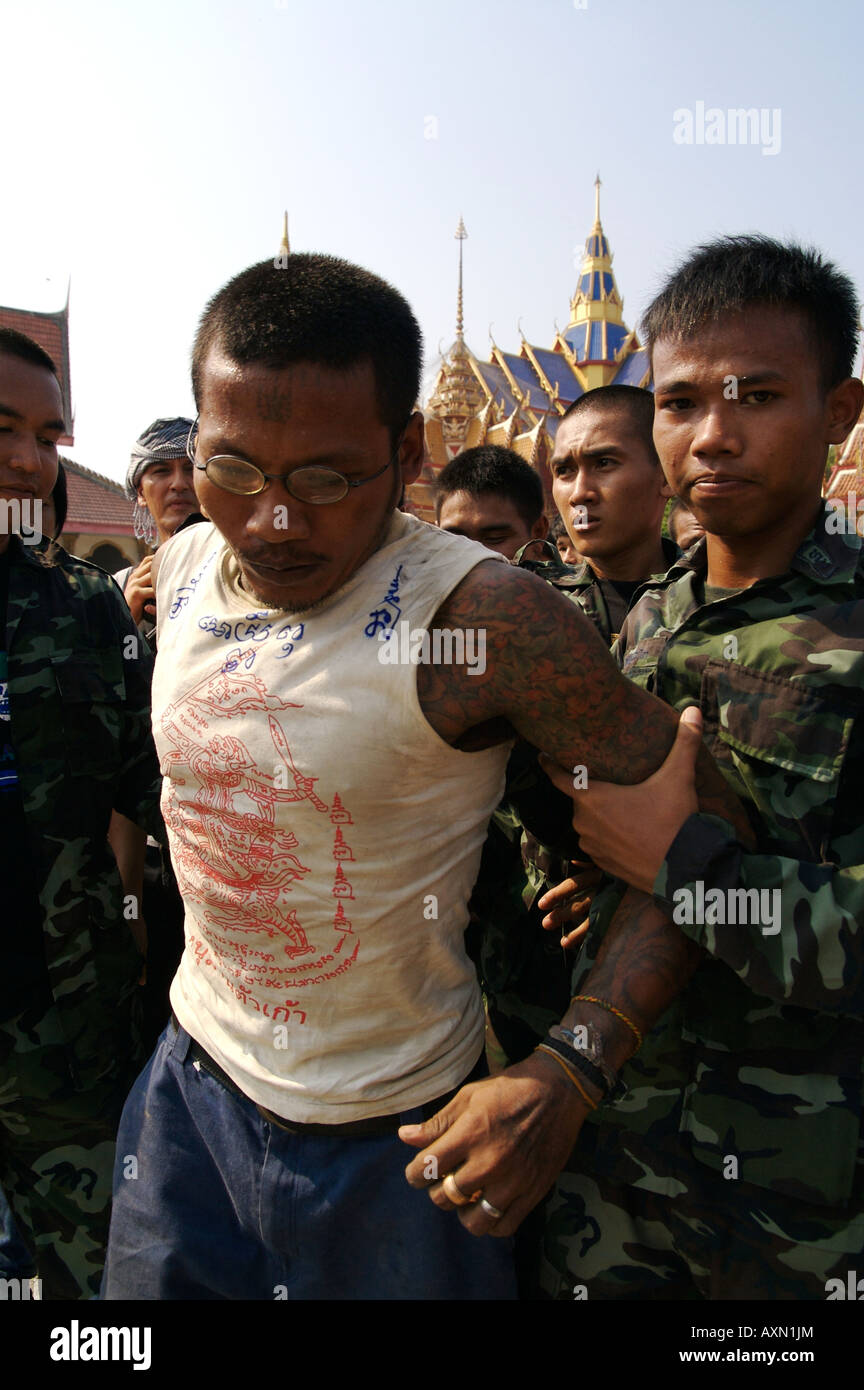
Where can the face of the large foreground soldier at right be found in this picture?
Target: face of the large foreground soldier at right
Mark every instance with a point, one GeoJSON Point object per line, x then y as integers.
{"type": "Point", "coordinates": [742, 422]}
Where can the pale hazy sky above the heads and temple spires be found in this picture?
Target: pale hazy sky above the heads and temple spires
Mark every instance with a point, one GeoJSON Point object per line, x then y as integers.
{"type": "Point", "coordinates": [149, 151]}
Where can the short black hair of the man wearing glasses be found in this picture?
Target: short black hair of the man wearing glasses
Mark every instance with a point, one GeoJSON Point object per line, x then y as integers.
{"type": "Point", "coordinates": [317, 309]}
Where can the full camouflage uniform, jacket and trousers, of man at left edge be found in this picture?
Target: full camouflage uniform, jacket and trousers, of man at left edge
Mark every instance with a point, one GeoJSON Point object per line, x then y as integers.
{"type": "Point", "coordinates": [78, 693]}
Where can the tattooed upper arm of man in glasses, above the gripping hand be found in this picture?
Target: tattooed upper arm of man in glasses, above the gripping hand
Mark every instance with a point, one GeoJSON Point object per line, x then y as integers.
{"type": "Point", "coordinates": [551, 679]}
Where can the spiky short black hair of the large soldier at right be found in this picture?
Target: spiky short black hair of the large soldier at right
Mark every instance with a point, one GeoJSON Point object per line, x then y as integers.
{"type": "Point", "coordinates": [737, 273]}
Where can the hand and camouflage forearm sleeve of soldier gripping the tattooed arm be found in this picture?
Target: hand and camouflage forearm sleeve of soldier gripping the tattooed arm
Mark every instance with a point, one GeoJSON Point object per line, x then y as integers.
{"type": "Point", "coordinates": [797, 933]}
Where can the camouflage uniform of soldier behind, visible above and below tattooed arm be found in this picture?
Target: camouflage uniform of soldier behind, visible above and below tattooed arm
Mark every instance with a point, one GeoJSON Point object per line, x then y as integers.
{"type": "Point", "coordinates": [524, 974]}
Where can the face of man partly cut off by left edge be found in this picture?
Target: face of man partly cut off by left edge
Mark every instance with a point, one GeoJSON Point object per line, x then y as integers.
{"type": "Point", "coordinates": [31, 423]}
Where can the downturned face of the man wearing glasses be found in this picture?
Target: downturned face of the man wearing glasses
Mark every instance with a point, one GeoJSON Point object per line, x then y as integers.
{"type": "Point", "coordinates": [295, 554]}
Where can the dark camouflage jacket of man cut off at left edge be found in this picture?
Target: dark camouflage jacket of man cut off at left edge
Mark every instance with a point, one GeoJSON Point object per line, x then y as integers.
{"type": "Point", "coordinates": [80, 704]}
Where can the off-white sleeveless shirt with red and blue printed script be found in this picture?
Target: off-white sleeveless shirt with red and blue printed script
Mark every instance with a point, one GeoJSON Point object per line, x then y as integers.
{"type": "Point", "coordinates": [324, 837]}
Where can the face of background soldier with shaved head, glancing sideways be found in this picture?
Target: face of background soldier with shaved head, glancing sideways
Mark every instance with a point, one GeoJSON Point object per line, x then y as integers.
{"type": "Point", "coordinates": [606, 484]}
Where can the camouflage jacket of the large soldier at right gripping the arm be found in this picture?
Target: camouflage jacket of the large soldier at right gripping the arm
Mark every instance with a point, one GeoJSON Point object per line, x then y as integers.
{"type": "Point", "coordinates": [761, 1058]}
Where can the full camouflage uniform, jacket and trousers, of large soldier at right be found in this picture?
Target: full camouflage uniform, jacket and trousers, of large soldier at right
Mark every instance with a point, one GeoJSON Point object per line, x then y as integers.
{"type": "Point", "coordinates": [733, 1167]}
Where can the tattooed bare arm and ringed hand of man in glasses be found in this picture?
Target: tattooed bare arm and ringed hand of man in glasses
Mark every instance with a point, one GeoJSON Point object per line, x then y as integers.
{"type": "Point", "coordinates": [551, 678]}
